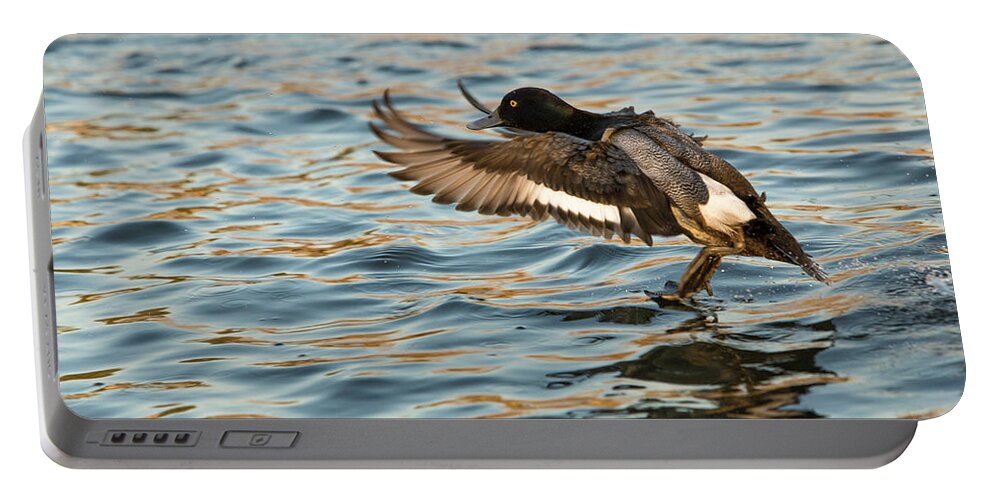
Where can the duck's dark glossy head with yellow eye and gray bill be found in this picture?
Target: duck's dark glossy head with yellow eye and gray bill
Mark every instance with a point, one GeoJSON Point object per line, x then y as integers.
{"type": "Point", "coordinates": [533, 109]}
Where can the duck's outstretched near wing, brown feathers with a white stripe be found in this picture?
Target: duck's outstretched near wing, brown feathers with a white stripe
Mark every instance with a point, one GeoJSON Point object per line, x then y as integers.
{"type": "Point", "coordinates": [592, 186]}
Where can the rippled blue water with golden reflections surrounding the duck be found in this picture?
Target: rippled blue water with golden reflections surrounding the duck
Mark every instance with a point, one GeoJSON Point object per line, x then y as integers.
{"type": "Point", "coordinates": [226, 244]}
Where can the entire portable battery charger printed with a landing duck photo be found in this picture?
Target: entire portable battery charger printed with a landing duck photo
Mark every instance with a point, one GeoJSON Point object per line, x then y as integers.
{"type": "Point", "coordinates": [486, 251]}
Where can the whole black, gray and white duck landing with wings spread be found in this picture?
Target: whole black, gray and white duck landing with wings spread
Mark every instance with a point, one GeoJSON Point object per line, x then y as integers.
{"type": "Point", "coordinates": [618, 173]}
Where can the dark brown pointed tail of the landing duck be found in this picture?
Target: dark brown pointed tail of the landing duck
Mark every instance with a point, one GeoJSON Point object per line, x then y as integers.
{"type": "Point", "coordinates": [766, 237]}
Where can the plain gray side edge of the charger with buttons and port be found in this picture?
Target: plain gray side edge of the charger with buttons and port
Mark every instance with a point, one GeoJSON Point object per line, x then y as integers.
{"type": "Point", "coordinates": [74, 441]}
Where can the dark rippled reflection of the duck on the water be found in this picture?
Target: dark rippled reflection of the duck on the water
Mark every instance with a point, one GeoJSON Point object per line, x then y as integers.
{"type": "Point", "coordinates": [731, 375]}
